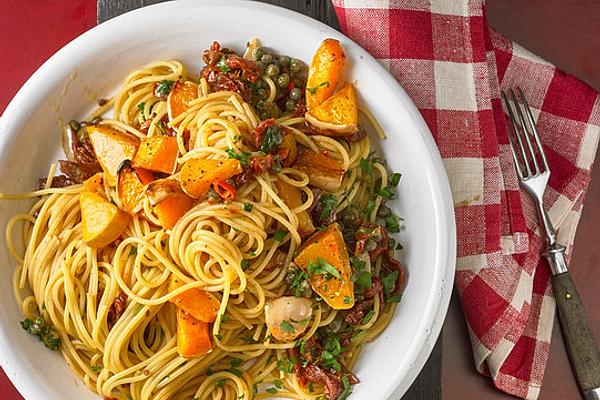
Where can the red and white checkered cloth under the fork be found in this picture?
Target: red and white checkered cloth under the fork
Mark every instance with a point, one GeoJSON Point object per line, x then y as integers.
{"type": "Point", "coordinates": [453, 66]}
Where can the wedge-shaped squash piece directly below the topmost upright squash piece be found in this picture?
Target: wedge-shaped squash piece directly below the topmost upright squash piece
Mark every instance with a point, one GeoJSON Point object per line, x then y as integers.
{"type": "Point", "coordinates": [338, 115]}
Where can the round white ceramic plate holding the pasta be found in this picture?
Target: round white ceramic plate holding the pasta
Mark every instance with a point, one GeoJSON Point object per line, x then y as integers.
{"type": "Point", "coordinates": [93, 65]}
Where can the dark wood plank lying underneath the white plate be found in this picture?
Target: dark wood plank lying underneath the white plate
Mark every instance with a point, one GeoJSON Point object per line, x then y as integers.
{"type": "Point", "coordinates": [427, 386]}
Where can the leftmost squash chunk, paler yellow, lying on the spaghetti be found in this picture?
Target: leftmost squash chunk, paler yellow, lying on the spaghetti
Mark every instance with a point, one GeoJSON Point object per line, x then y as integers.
{"type": "Point", "coordinates": [102, 222]}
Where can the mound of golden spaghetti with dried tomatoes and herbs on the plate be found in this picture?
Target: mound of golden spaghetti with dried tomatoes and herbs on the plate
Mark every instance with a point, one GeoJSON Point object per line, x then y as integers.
{"type": "Point", "coordinates": [113, 307]}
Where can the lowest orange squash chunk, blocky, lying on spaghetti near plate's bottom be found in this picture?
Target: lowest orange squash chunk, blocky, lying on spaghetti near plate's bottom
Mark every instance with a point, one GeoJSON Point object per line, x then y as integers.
{"type": "Point", "coordinates": [193, 336]}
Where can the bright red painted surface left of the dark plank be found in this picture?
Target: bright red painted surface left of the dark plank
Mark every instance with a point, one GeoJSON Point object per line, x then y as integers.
{"type": "Point", "coordinates": [30, 32]}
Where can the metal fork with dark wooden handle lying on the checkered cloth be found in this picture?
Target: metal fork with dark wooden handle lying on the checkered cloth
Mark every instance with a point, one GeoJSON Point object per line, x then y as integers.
{"type": "Point", "coordinates": [533, 171]}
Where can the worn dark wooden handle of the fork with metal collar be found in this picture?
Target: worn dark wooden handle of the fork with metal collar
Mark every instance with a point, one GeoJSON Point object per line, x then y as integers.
{"type": "Point", "coordinates": [578, 337]}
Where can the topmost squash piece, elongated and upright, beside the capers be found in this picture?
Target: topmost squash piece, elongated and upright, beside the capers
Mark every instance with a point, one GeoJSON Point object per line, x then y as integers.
{"type": "Point", "coordinates": [324, 72]}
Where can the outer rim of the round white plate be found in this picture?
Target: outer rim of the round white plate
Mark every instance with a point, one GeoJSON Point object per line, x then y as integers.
{"type": "Point", "coordinates": [445, 261]}
